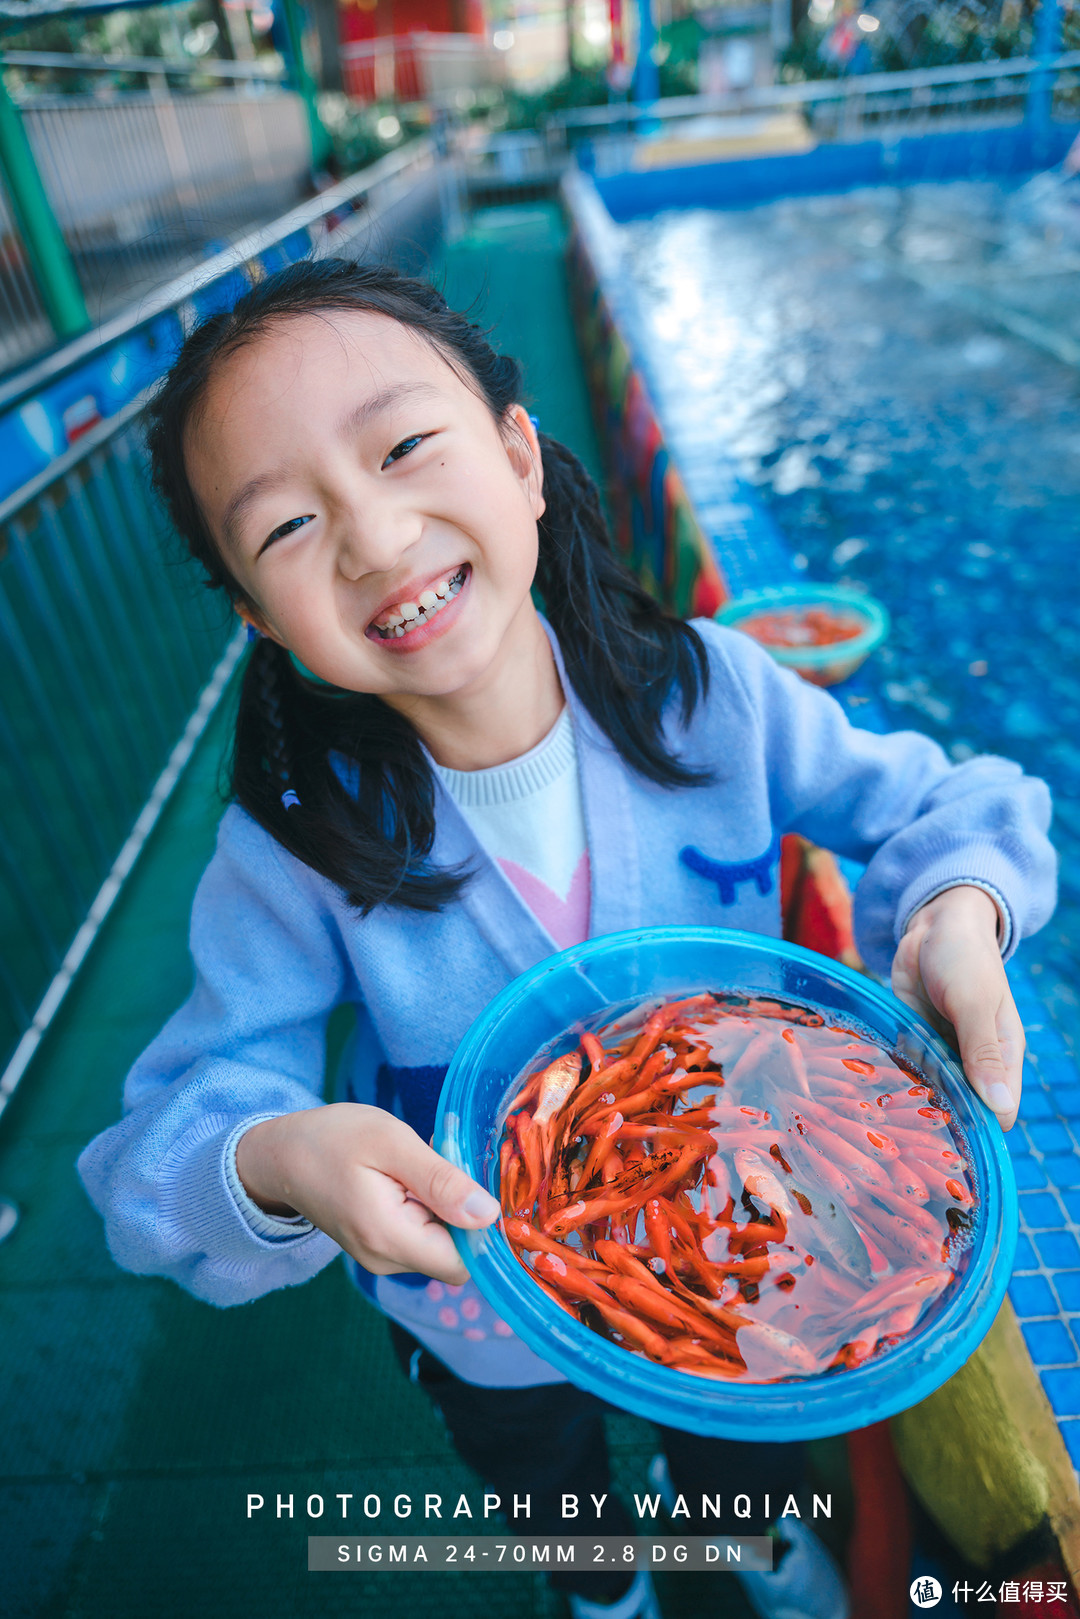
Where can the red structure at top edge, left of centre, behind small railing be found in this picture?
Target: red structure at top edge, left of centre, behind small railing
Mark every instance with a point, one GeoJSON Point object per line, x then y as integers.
{"type": "Point", "coordinates": [388, 45]}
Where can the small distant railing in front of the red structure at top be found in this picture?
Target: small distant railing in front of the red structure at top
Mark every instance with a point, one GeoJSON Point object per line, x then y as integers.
{"type": "Point", "coordinates": [420, 67]}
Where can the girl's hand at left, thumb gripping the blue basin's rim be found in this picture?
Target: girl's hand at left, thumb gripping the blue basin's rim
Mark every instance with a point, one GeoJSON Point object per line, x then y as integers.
{"type": "Point", "coordinates": [368, 1181]}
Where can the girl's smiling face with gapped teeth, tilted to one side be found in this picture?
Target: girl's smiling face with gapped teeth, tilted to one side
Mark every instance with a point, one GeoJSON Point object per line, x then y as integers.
{"type": "Point", "coordinates": [376, 517]}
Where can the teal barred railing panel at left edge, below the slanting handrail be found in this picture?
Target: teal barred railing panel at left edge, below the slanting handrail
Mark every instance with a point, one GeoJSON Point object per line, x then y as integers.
{"type": "Point", "coordinates": [103, 655]}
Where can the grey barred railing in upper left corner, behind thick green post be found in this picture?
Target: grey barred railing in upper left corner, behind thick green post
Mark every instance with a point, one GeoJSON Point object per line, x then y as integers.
{"type": "Point", "coordinates": [145, 163]}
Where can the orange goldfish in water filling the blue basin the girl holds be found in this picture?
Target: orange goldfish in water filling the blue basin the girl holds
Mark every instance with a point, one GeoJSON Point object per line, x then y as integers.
{"type": "Point", "coordinates": [738, 1189]}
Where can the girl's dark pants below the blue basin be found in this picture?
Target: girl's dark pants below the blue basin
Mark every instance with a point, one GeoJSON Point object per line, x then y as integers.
{"type": "Point", "coordinates": [550, 1442]}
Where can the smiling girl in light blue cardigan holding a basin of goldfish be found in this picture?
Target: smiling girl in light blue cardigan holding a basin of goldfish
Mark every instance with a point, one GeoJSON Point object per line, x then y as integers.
{"type": "Point", "coordinates": [436, 788]}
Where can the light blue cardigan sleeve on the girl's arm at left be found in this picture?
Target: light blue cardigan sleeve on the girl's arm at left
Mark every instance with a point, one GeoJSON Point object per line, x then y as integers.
{"type": "Point", "coordinates": [249, 1045]}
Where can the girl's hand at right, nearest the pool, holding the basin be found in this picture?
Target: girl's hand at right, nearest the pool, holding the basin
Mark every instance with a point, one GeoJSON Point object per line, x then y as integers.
{"type": "Point", "coordinates": [948, 967]}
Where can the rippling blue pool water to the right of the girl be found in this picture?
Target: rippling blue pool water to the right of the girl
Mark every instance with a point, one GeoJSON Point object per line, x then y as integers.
{"type": "Point", "coordinates": [859, 357]}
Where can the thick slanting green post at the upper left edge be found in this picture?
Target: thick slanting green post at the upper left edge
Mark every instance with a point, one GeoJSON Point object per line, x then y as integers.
{"type": "Point", "coordinates": [46, 249]}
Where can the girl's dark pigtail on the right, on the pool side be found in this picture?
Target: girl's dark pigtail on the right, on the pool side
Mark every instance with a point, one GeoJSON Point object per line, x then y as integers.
{"type": "Point", "coordinates": [624, 655]}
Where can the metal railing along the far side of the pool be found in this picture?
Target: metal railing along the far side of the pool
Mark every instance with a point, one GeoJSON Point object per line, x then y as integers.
{"type": "Point", "coordinates": [846, 109]}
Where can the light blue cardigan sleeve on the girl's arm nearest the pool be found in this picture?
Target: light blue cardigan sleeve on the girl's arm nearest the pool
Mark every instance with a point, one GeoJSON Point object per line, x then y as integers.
{"type": "Point", "coordinates": [896, 804]}
